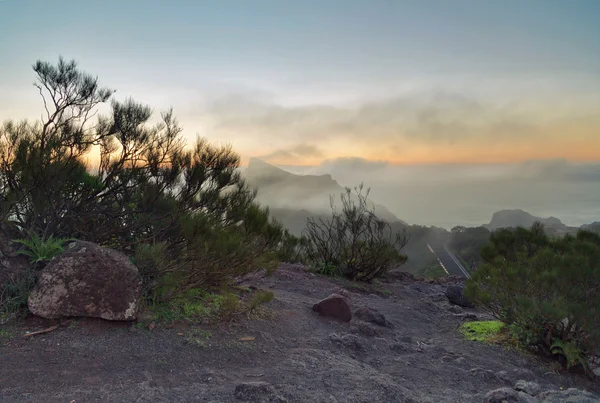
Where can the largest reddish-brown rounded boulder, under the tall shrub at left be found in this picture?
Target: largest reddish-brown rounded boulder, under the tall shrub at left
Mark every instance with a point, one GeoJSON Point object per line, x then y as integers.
{"type": "Point", "coordinates": [88, 280]}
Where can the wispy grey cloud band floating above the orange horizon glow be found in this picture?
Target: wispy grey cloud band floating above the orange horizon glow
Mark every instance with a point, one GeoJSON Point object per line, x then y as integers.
{"type": "Point", "coordinates": [422, 118]}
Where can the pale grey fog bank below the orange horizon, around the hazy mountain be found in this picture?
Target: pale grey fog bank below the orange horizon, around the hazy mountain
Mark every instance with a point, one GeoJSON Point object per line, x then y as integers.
{"type": "Point", "coordinates": [449, 195]}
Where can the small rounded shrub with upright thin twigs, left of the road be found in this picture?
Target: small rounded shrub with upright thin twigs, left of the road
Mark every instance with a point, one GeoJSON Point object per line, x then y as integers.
{"type": "Point", "coordinates": [355, 241]}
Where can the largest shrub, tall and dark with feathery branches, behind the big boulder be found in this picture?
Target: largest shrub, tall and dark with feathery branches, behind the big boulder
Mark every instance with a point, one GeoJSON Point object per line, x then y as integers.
{"type": "Point", "coordinates": [184, 212]}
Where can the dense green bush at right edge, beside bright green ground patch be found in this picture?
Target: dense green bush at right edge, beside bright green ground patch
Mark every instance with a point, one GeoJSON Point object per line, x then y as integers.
{"type": "Point", "coordinates": [545, 288]}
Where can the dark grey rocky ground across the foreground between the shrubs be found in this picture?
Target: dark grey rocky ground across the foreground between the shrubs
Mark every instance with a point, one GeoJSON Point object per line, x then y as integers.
{"type": "Point", "coordinates": [285, 353]}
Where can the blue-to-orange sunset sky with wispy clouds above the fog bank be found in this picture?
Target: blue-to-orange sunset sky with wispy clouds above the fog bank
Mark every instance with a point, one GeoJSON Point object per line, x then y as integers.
{"type": "Point", "coordinates": [324, 82]}
